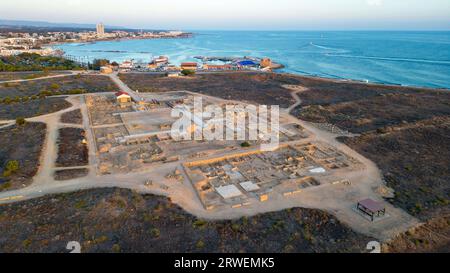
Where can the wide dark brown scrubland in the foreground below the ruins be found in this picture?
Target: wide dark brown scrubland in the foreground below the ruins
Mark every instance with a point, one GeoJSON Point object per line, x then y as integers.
{"type": "Point", "coordinates": [118, 220]}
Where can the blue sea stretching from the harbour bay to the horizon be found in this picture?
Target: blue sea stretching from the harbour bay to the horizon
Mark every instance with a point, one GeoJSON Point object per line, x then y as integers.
{"type": "Point", "coordinates": [405, 58]}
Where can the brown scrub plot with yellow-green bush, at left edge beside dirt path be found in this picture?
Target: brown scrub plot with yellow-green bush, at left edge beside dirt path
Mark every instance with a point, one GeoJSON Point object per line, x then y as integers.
{"type": "Point", "coordinates": [22, 145]}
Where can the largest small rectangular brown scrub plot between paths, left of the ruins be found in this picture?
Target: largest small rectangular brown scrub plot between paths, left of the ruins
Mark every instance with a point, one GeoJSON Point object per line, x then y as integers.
{"type": "Point", "coordinates": [71, 149]}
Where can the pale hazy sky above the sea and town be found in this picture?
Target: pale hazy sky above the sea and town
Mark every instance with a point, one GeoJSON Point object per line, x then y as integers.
{"type": "Point", "coordinates": [239, 14]}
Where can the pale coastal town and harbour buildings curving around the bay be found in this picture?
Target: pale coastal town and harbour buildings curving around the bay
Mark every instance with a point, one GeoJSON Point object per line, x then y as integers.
{"type": "Point", "coordinates": [16, 43]}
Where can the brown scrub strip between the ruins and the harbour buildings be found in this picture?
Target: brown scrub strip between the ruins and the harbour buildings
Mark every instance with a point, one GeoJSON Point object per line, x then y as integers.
{"type": "Point", "coordinates": [251, 87]}
